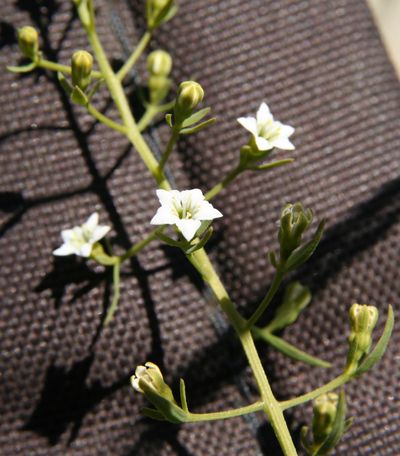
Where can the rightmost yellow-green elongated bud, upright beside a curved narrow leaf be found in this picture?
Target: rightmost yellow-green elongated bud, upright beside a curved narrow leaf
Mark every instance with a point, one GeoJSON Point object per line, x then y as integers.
{"type": "Point", "coordinates": [363, 319]}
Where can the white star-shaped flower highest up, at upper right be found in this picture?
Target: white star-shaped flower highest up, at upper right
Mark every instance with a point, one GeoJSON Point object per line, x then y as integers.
{"type": "Point", "coordinates": [268, 133]}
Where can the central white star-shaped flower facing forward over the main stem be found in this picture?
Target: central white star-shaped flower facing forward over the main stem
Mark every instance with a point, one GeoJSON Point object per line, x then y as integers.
{"type": "Point", "coordinates": [187, 210]}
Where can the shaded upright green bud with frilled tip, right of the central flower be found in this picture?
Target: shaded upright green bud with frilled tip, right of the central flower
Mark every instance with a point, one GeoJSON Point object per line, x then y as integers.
{"type": "Point", "coordinates": [294, 222]}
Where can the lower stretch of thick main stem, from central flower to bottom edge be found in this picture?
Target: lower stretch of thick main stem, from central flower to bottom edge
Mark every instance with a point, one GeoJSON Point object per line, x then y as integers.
{"type": "Point", "coordinates": [271, 406]}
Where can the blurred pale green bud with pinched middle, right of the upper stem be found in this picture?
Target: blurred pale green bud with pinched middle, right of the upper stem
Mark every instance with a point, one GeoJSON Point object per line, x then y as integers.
{"type": "Point", "coordinates": [159, 65]}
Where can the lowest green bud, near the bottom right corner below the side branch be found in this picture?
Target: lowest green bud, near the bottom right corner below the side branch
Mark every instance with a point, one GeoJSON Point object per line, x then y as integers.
{"type": "Point", "coordinates": [325, 408]}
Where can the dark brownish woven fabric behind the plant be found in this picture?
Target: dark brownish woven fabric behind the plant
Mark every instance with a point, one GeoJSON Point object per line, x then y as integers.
{"type": "Point", "coordinates": [64, 385]}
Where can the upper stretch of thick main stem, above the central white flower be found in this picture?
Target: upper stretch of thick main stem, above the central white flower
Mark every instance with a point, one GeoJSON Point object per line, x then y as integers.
{"type": "Point", "coordinates": [132, 132]}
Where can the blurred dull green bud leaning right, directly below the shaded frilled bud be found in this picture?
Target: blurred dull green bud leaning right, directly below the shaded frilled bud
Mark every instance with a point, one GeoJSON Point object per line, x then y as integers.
{"type": "Point", "coordinates": [295, 299]}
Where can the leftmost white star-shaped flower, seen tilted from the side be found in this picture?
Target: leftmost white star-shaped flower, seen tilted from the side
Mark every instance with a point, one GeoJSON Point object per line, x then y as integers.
{"type": "Point", "coordinates": [79, 240]}
